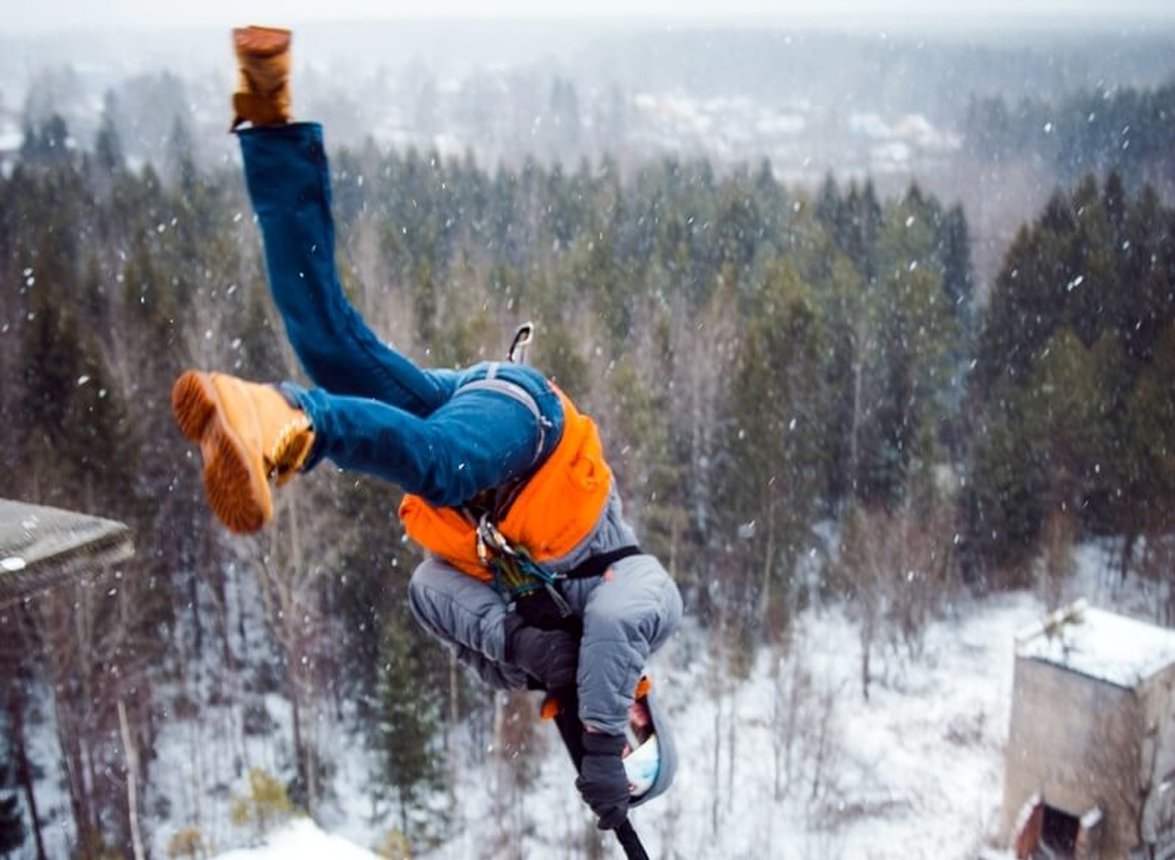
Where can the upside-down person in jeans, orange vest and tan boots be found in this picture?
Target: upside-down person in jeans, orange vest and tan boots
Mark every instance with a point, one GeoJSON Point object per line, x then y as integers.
{"type": "Point", "coordinates": [533, 576]}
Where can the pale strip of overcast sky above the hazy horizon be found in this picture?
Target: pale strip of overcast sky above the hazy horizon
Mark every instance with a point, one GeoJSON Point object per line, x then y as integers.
{"type": "Point", "coordinates": [31, 16]}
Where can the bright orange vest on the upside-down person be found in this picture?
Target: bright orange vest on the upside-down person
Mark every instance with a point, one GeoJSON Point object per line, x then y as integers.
{"type": "Point", "coordinates": [552, 515]}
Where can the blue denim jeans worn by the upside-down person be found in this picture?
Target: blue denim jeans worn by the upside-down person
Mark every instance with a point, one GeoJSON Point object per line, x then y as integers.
{"type": "Point", "coordinates": [374, 411]}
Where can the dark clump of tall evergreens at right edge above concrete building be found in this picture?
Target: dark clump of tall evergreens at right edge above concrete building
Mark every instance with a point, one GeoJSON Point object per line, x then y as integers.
{"type": "Point", "coordinates": [1065, 369]}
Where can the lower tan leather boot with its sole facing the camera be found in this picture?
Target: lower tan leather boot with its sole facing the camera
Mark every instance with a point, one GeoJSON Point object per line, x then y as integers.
{"type": "Point", "coordinates": [249, 435]}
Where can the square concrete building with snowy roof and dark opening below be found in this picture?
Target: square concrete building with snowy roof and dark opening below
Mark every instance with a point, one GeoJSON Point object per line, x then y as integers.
{"type": "Point", "coordinates": [1090, 768]}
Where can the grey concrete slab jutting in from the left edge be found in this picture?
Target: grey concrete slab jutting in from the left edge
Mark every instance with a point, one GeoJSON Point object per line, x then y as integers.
{"type": "Point", "coordinates": [43, 547]}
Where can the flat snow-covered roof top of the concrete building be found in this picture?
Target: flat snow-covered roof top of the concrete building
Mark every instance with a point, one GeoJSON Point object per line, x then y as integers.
{"type": "Point", "coordinates": [1099, 644]}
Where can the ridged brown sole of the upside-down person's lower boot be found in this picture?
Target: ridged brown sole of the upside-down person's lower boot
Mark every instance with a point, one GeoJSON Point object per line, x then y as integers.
{"type": "Point", "coordinates": [238, 494]}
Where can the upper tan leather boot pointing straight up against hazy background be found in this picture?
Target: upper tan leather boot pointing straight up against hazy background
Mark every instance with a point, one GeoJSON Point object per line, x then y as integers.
{"type": "Point", "coordinates": [264, 93]}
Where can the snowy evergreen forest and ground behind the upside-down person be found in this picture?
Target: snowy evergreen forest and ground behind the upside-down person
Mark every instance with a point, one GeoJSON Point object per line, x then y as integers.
{"type": "Point", "coordinates": [876, 412]}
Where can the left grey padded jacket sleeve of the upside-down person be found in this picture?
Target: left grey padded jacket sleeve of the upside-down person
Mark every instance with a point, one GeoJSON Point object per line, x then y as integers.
{"type": "Point", "coordinates": [468, 616]}
